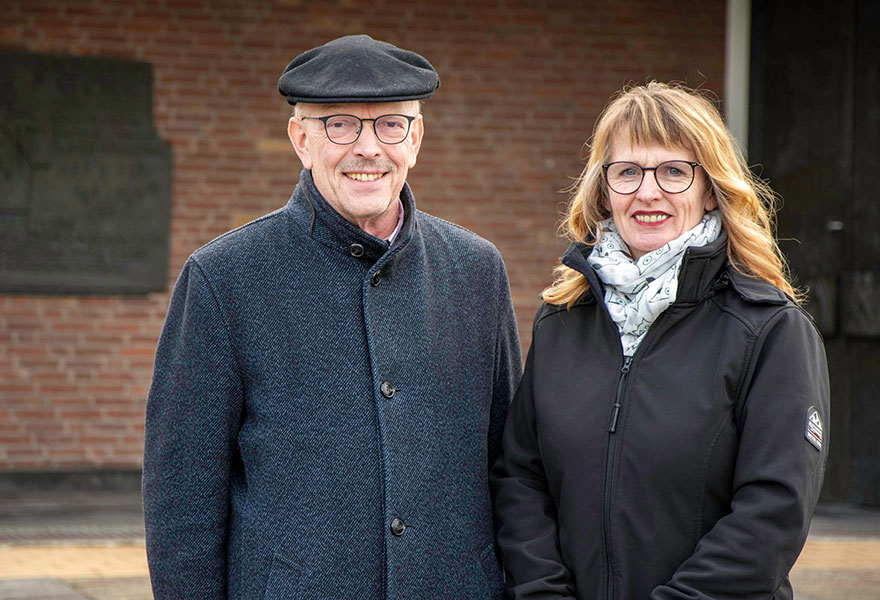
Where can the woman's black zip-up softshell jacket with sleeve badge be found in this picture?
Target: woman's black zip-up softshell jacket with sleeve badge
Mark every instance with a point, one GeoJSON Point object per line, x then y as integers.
{"type": "Point", "coordinates": [685, 472]}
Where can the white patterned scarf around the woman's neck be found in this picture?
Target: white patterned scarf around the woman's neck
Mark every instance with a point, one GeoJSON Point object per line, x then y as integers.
{"type": "Point", "coordinates": [637, 292]}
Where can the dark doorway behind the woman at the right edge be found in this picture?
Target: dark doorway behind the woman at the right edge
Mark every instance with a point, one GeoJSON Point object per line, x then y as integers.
{"type": "Point", "coordinates": [814, 133]}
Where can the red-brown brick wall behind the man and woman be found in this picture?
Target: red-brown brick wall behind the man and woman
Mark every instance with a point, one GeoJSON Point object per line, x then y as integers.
{"type": "Point", "coordinates": [522, 82]}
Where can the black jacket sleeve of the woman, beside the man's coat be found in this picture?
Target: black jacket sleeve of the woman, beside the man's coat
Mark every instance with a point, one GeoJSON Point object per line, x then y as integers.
{"type": "Point", "coordinates": [525, 514]}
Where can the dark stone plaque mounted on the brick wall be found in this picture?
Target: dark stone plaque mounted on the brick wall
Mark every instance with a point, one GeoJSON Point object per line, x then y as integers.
{"type": "Point", "coordinates": [85, 181]}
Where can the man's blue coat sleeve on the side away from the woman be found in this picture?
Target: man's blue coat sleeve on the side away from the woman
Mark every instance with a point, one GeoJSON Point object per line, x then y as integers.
{"type": "Point", "coordinates": [192, 420]}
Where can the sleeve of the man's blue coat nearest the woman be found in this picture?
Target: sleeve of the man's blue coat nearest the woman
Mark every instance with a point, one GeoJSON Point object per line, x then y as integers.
{"type": "Point", "coordinates": [508, 367]}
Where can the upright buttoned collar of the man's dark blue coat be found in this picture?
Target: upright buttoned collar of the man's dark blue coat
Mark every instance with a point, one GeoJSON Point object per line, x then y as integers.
{"type": "Point", "coordinates": [315, 218]}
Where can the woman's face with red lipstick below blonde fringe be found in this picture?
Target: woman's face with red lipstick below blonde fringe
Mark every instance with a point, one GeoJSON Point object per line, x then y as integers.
{"type": "Point", "coordinates": [649, 217]}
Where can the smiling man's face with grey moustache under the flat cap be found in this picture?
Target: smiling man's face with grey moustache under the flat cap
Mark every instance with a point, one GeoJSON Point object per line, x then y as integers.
{"type": "Point", "coordinates": [362, 180]}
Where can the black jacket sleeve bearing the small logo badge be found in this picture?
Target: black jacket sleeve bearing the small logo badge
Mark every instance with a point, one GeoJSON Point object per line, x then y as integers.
{"type": "Point", "coordinates": [778, 472]}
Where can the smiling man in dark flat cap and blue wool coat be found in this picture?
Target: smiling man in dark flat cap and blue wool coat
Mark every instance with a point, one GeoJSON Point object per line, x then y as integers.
{"type": "Point", "coordinates": [332, 379]}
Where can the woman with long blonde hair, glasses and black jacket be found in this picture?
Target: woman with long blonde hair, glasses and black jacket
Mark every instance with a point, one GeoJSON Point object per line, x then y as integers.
{"type": "Point", "coordinates": [669, 436]}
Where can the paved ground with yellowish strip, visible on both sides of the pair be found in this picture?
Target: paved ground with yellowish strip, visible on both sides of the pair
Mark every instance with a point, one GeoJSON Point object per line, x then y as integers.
{"type": "Point", "coordinates": [86, 545]}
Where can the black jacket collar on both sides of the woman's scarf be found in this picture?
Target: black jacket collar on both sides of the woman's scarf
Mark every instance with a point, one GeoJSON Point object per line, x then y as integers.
{"type": "Point", "coordinates": [701, 269]}
